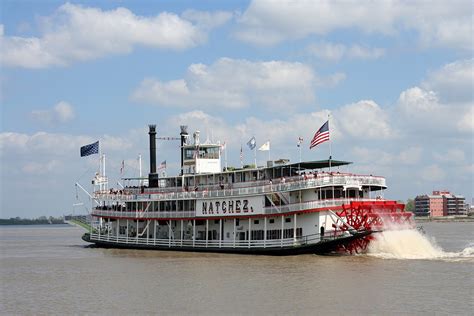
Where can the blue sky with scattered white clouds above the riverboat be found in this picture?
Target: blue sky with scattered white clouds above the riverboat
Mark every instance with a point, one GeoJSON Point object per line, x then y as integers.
{"type": "Point", "coordinates": [396, 78]}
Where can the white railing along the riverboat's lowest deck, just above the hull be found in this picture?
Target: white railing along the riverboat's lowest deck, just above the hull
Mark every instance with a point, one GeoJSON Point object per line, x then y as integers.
{"type": "Point", "coordinates": [176, 243]}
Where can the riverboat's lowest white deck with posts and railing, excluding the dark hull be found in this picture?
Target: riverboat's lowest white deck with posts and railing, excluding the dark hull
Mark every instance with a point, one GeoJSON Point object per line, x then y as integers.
{"type": "Point", "coordinates": [220, 230]}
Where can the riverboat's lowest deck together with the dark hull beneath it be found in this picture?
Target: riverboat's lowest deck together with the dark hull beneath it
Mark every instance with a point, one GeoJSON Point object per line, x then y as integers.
{"type": "Point", "coordinates": [303, 231]}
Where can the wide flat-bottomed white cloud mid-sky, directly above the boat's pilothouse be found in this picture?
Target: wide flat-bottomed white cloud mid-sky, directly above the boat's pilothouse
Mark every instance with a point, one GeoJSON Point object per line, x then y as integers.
{"type": "Point", "coordinates": [233, 83]}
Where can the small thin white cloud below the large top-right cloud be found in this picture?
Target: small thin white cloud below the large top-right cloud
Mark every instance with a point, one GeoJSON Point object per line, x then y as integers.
{"type": "Point", "coordinates": [337, 51]}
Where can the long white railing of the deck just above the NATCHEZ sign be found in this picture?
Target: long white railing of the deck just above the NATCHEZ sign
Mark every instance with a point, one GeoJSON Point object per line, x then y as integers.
{"type": "Point", "coordinates": [295, 183]}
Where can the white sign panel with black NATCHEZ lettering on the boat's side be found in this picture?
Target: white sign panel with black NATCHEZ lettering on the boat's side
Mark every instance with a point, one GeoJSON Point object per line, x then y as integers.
{"type": "Point", "coordinates": [220, 207]}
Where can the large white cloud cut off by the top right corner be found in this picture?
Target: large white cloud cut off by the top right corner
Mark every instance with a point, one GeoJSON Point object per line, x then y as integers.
{"type": "Point", "coordinates": [267, 22]}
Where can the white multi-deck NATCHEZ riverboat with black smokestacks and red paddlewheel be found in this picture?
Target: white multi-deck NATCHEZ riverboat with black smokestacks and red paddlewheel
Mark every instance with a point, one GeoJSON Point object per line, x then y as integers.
{"type": "Point", "coordinates": [282, 208]}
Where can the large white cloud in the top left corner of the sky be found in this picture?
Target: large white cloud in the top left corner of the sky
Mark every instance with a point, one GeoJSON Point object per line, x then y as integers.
{"type": "Point", "coordinates": [76, 33]}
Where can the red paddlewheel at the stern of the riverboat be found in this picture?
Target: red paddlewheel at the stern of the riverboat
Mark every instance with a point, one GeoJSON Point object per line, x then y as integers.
{"type": "Point", "coordinates": [372, 216]}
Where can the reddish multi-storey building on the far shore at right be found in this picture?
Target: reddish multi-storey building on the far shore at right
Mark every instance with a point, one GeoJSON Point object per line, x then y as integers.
{"type": "Point", "coordinates": [440, 203]}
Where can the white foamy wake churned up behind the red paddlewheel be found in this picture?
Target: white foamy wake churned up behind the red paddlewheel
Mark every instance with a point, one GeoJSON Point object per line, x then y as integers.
{"type": "Point", "coordinates": [411, 244]}
